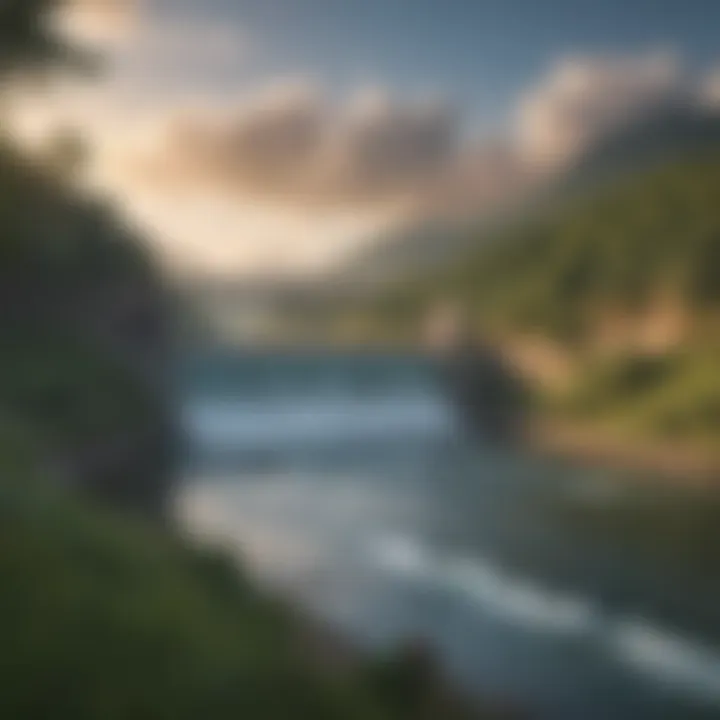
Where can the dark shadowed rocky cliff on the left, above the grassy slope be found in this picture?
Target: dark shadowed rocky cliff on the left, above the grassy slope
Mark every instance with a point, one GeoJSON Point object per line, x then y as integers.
{"type": "Point", "coordinates": [85, 323]}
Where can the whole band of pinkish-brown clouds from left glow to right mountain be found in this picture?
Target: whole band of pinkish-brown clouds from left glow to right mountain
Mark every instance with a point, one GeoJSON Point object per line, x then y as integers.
{"type": "Point", "coordinates": [289, 143]}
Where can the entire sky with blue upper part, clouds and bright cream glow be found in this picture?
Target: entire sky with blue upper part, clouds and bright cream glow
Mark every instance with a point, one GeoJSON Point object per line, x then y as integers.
{"type": "Point", "coordinates": [255, 137]}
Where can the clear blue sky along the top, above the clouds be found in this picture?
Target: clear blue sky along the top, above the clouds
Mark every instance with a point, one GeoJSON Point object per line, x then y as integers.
{"type": "Point", "coordinates": [478, 53]}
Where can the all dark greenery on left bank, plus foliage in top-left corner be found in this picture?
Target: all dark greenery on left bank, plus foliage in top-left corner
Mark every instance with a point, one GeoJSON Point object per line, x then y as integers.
{"type": "Point", "coordinates": [105, 612]}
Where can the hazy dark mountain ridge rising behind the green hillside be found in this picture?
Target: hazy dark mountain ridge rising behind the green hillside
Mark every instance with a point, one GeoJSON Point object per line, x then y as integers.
{"type": "Point", "coordinates": [420, 248]}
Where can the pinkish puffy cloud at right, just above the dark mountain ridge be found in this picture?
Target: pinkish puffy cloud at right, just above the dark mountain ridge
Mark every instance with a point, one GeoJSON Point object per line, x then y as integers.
{"type": "Point", "coordinates": [584, 99]}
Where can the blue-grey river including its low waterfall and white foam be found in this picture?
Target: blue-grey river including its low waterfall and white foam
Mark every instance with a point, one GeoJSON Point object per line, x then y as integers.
{"type": "Point", "coordinates": [345, 483]}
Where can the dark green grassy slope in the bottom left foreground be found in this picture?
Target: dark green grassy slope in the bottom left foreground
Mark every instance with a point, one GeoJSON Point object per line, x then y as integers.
{"type": "Point", "coordinates": [105, 617]}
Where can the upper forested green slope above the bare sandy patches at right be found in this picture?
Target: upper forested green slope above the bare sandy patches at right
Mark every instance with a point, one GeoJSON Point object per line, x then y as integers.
{"type": "Point", "coordinates": [654, 237]}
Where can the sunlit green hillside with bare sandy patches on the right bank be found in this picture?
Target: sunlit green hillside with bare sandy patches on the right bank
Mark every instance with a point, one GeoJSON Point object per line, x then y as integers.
{"type": "Point", "coordinates": [591, 278]}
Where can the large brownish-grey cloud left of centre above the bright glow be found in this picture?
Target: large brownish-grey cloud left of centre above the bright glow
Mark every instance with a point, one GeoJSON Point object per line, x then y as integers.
{"type": "Point", "coordinates": [289, 142]}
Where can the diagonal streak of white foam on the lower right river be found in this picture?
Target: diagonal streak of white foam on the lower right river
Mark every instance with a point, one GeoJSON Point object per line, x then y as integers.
{"type": "Point", "coordinates": [659, 655]}
